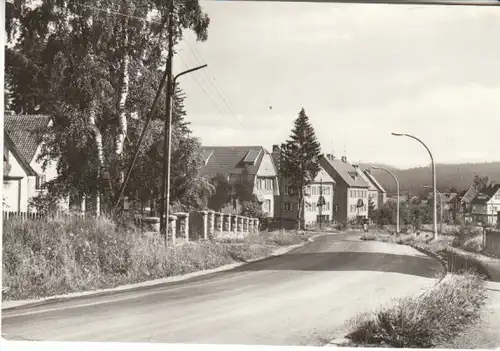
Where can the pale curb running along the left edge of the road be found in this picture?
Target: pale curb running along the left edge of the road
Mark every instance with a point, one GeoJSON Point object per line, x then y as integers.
{"type": "Point", "coordinates": [13, 305]}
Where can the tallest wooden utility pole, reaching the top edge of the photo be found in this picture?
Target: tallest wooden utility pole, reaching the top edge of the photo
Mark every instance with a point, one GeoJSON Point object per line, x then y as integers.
{"type": "Point", "coordinates": [165, 185]}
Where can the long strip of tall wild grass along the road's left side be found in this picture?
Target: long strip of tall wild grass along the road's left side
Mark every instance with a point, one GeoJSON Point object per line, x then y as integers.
{"type": "Point", "coordinates": [59, 256]}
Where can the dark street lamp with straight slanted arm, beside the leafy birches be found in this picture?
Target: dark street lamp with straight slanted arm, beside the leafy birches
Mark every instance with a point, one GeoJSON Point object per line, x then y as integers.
{"type": "Point", "coordinates": [165, 192]}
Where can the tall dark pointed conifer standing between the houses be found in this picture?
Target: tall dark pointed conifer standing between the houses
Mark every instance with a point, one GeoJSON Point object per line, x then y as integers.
{"type": "Point", "coordinates": [301, 155]}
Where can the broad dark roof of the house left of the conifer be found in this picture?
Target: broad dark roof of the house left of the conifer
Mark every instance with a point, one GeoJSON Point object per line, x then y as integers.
{"type": "Point", "coordinates": [230, 160]}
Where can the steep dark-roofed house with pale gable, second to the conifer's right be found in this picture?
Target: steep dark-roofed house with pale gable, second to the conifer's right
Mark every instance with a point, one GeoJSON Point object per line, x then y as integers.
{"type": "Point", "coordinates": [351, 190]}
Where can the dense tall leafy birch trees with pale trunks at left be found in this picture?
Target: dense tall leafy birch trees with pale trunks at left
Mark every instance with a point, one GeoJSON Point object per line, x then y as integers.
{"type": "Point", "coordinates": [94, 67]}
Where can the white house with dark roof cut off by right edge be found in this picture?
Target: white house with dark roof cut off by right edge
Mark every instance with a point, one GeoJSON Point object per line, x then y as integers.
{"type": "Point", "coordinates": [485, 206]}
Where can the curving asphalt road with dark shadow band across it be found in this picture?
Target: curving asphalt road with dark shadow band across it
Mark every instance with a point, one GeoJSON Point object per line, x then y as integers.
{"type": "Point", "coordinates": [301, 298]}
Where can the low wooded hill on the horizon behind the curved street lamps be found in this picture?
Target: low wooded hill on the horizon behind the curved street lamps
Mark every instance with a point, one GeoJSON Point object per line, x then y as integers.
{"type": "Point", "coordinates": [458, 176]}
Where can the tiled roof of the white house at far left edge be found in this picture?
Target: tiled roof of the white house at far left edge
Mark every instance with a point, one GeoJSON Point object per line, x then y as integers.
{"type": "Point", "coordinates": [24, 130]}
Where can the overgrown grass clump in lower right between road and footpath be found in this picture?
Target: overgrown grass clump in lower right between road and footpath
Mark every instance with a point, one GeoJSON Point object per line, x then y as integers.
{"type": "Point", "coordinates": [426, 321]}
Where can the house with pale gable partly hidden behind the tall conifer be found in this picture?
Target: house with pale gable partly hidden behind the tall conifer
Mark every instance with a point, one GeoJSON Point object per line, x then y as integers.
{"type": "Point", "coordinates": [318, 197]}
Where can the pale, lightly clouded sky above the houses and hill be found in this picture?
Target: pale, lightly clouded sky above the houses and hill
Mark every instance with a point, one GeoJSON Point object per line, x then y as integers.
{"type": "Point", "coordinates": [360, 71]}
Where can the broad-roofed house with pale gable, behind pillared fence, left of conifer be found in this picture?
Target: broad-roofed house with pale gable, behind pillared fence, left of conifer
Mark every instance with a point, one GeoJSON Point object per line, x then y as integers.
{"type": "Point", "coordinates": [250, 167]}
